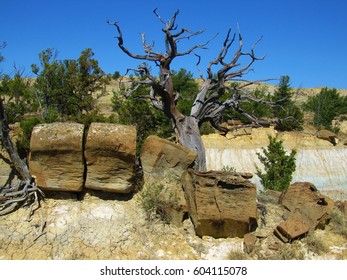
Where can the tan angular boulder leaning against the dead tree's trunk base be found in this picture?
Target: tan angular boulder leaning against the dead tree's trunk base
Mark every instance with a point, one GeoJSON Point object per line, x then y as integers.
{"type": "Point", "coordinates": [160, 157]}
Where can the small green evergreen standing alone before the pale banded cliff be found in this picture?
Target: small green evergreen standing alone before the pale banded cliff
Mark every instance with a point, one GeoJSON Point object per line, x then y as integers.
{"type": "Point", "coordinates": [278, 166]}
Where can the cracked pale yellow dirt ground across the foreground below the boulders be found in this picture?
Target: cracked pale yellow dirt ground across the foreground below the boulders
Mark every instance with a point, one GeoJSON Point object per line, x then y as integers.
{"type": "Point", "coordinates": [114, 227]}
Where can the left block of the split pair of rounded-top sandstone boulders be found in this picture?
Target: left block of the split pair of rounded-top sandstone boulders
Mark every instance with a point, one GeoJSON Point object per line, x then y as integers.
{"type": "Point", "coordinates": [56, 156]}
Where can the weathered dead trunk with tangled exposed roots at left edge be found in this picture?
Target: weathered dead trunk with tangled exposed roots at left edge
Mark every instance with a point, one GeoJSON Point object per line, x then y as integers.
{"type": "Point", "coordinates": [25, 191]}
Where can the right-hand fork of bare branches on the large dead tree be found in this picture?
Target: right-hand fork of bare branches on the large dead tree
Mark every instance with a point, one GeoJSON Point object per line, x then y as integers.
{"type": "Point", "coordinates": [207, 104]}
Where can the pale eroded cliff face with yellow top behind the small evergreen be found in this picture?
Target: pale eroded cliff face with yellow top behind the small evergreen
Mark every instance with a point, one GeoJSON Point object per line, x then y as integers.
{"type": "Point", "coordinates": [317, 161]}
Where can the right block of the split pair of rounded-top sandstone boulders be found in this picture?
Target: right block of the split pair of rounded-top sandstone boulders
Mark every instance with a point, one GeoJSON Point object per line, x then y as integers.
{"type": "Point", "coordinates": [110, 157]}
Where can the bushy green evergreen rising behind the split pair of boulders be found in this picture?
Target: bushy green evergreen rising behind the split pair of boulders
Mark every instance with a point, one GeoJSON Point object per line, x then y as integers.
{"type": "Point", "coordinates": [70, 87]}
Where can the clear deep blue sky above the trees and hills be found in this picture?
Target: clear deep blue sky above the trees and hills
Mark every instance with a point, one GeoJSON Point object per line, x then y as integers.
{"type": "Point", "coordinates": [304, 39]}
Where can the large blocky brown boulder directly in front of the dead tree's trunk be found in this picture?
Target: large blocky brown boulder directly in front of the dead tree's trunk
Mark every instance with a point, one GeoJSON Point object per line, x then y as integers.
{"type": "Point", "coordinates": [221, 204]}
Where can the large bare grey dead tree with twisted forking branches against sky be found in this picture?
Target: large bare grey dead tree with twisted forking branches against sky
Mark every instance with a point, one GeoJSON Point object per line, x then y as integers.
{"type": "Point", "coordinates": [208, 105]}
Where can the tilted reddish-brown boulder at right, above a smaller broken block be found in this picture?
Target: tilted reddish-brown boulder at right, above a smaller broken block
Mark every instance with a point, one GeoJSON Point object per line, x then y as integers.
{"type": "Point", "coordinates": [304, 200]}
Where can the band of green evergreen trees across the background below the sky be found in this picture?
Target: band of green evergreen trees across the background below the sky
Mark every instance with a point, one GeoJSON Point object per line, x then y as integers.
{"type": "Point", "coordinates": [67, 90]}
